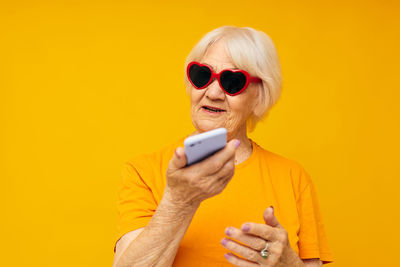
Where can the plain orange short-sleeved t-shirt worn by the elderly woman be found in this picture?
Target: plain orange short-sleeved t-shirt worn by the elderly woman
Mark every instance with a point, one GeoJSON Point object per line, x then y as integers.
{"type": "Point", "coordinates": [264, 179]}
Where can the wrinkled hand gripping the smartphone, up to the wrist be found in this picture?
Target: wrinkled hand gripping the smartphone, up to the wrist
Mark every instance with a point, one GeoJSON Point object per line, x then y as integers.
{"type": "Point", "coordinates": [189, 185]}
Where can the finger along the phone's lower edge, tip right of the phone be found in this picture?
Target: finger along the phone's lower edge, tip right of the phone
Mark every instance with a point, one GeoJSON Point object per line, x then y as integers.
{"type": "Point", "coordinates": [215, 162]}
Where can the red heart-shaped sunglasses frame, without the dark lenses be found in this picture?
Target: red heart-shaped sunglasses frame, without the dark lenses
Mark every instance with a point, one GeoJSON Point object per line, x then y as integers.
{"type": "Point", "coordinates": [249, 79]}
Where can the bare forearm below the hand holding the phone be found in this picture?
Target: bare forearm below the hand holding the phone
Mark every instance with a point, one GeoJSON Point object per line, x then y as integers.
{"type": "Point", "coordinates": [158, 243]}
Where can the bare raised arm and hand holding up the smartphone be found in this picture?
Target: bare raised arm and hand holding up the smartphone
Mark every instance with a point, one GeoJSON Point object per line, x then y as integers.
{"type": "Point", "coordinates": [158, 242]}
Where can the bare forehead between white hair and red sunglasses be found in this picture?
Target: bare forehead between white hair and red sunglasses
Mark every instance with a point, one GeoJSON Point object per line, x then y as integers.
{"type": "Point", "coordinates": [217, 56]}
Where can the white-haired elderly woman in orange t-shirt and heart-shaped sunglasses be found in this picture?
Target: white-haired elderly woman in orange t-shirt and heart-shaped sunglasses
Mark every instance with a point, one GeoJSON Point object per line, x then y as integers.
{"type": "Point", "coordinates": [243, 205]}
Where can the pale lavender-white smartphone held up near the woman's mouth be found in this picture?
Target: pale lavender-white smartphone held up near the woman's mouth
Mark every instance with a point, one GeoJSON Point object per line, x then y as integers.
{"type": "Point", "coordinates": [200, 146]}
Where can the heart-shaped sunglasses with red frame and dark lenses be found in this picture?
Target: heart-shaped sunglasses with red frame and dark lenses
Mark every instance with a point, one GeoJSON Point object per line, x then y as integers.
{"type": "Point", "coordinates": [233, 82]}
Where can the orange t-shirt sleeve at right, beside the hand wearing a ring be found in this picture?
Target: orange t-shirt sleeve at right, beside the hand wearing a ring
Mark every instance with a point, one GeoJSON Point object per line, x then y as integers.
{"type": "Point", "coordinates": [313, 242]}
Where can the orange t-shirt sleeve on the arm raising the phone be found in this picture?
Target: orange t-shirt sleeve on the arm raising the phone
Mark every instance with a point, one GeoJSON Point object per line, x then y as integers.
{"type": "Point", "coordinates": [136, 203]}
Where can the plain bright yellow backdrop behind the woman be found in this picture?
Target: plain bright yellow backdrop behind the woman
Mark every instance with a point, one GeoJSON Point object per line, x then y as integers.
{"type": "Point", "coordinates": [86, 85]}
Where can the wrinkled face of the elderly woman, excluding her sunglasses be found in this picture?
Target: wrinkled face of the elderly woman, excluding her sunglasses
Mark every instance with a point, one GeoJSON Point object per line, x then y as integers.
{"type": "Point", "coordinates": [211, 108]}
